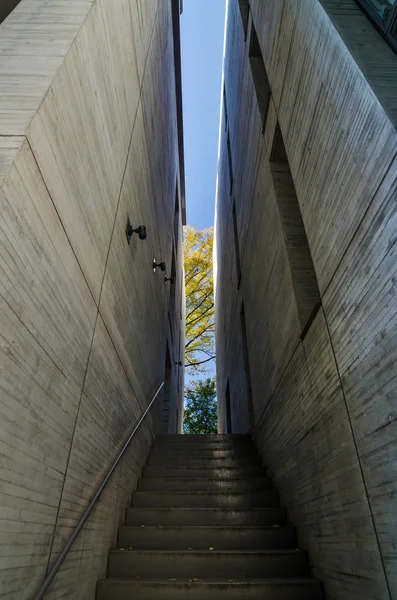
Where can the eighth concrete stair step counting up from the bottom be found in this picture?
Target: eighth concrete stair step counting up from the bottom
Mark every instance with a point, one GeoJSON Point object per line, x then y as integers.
{"type": "Point", "coordinates": [198, 461]}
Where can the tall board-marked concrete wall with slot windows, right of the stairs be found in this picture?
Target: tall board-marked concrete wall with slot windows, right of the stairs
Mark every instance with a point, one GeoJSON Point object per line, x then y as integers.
{"type": "Point", "coordinates": [324, 398]}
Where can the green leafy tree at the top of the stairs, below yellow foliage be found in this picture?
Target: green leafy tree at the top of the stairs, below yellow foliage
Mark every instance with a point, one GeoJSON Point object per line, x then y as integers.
{"type": "Point", "coordinates": [201, 414]}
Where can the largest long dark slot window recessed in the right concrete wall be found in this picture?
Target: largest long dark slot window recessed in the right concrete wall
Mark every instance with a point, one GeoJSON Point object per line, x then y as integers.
{"type": "Point", "coordinates": [303, 276]}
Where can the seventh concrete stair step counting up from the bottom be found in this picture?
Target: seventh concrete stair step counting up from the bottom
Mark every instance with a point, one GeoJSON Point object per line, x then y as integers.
{"type": "Point", "coordinates": [177, 472]}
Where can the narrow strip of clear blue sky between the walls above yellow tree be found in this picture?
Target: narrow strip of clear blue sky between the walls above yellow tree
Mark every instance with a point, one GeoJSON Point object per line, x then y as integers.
{"type": "Point", "coordinates": [202, 28]}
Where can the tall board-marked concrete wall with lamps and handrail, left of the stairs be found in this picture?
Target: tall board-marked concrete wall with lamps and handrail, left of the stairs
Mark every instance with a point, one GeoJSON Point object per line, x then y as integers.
{"type": "Point", "coordinates": [88, 138]}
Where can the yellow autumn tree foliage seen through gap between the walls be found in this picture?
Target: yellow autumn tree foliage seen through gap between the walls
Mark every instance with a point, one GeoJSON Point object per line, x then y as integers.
{"type": "Point", "coordinates": [199, 282]}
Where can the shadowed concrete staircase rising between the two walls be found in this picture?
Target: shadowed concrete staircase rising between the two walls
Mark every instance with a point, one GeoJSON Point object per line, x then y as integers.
{"type": "Point", "coordinates": [205, 524]}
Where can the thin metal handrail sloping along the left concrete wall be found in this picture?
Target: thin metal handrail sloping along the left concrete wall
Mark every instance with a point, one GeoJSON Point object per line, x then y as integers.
{"type": "Point", "coordinates": [49, 578]}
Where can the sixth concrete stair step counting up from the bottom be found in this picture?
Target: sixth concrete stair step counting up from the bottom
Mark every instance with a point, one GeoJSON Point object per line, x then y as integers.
{"type": "Point", "coordinates": [168, 484]}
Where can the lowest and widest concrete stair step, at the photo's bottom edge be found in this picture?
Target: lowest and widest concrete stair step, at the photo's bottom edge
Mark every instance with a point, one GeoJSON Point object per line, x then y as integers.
{"type": "Point", "coordinates": [258, 589]}
